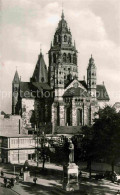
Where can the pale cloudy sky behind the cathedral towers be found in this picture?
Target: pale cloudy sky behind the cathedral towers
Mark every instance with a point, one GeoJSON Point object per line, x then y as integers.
{"type": "Point", "coordinates": [27, 25]}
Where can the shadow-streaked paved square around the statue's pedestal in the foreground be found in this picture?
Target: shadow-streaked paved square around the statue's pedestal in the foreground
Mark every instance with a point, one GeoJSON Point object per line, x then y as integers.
{"type": "Point", "coordinates": [49, 184]}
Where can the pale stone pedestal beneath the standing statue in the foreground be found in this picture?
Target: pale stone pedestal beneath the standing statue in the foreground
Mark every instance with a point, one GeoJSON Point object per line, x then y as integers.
{"type": "Point", "coordinates": [70, 177]}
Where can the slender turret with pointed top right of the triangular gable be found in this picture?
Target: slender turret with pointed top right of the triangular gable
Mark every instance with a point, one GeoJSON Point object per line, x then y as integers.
{"type": "Point", "coordinates": [91, 77]}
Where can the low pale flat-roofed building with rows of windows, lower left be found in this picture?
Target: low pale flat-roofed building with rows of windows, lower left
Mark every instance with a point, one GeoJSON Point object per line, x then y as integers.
{"type": "Point", "coordinates": [17, 148]}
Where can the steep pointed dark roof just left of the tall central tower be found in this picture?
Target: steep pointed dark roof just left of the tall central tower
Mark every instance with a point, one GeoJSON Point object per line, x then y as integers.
{"type": "Point", "coordinates": [40, 73]}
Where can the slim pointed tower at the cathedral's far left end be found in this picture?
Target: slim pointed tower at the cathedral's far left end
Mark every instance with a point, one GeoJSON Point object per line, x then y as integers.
{"type": "Point", "coordinates": [15, 94]}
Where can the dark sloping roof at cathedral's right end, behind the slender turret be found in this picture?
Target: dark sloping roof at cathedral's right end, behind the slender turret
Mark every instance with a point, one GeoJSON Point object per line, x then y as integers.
{"type": "Point", "coordinates": [101, 93]}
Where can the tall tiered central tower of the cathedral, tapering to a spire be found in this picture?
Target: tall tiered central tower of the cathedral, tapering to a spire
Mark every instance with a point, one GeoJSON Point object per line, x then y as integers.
{"type": "Point", "coordinates": [62, 49]}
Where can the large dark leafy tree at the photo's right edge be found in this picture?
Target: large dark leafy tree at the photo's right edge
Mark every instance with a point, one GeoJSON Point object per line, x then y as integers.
{"type": "Point", "coordinates": [106, 138]}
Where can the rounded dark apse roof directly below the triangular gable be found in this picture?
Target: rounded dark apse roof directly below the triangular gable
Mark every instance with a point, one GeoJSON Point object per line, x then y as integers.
{"type": "Point", "coordinates": [71, 92]}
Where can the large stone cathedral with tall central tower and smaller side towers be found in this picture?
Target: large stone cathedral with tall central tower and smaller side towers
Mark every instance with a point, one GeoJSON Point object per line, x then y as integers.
{"type": "Point", "coordinates": [55, 100]}
